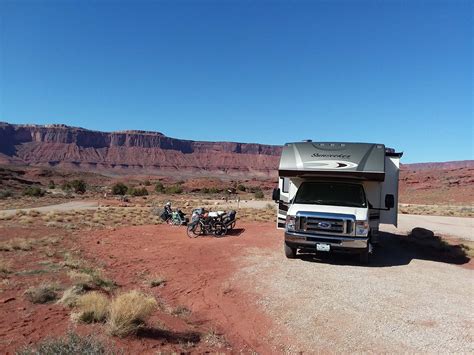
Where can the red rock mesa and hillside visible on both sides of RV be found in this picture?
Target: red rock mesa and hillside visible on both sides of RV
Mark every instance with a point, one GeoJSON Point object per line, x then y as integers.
{"type": "Point", "coordinates": [140, 153]}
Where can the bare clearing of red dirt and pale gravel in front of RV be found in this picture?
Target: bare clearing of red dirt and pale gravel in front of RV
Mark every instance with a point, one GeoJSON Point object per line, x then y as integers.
{"type": "Point", "coordinates": [408, 300]}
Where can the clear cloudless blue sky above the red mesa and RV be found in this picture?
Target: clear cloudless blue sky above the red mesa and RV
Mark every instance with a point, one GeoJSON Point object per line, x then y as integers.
{"type": "Point", "coordinates": [393, 72]}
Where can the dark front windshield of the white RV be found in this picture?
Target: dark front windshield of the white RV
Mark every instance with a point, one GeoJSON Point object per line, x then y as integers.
{"type": "Point", "coordinates": [331, 193]}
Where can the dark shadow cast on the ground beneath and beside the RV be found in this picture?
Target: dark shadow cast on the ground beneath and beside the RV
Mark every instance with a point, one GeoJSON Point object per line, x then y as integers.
{"type": "Point", "coordinates": [398, 249]}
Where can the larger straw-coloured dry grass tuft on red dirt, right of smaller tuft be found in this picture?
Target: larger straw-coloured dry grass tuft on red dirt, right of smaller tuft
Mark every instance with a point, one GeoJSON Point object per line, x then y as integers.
{"type": "Point", "coordinates": [128, 312]}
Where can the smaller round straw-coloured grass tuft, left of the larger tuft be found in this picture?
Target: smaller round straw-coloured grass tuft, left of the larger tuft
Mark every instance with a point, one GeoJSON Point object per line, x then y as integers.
{"type": "Point", "coordinates": [92, 307]}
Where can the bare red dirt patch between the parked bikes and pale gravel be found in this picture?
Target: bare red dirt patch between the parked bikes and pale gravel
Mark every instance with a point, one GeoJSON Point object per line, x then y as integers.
{"type": "Point", "coordinates": [197, 276]}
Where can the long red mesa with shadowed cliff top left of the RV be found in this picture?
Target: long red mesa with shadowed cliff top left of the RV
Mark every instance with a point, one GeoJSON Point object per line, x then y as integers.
{"type": "Point", "coordinates": [132, 152]}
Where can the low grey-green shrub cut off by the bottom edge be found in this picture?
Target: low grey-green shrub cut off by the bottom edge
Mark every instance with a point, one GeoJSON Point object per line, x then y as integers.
{"type": "Point", "coordinates": [72, 343]}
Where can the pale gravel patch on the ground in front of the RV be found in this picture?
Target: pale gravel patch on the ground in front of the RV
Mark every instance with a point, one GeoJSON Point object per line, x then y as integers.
{"type": "Point", "coordinates": [422, 306]}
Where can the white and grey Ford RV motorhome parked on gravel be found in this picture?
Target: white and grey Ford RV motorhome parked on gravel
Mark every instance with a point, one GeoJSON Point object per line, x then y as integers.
{"type": "Point", "coordinates": [333, 196]}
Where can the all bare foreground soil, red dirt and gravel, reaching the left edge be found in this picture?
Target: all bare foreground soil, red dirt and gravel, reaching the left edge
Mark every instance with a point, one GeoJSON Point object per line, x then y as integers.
{"type": "Point", "coordinates": [411, 299]}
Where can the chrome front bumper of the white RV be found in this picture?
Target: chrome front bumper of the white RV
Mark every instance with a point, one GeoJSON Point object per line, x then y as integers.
{"type": "Point", "coordinates": [309, 241]}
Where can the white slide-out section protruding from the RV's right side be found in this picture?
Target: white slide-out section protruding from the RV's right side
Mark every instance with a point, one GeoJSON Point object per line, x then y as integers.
{"type": "Point", "coordinates": [390, 187]}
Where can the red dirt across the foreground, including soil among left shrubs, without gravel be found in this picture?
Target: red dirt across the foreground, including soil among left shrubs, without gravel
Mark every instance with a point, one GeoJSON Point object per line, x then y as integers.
{"type": "Point", "coordinates": [199, 276]}
